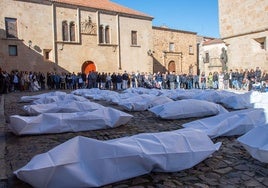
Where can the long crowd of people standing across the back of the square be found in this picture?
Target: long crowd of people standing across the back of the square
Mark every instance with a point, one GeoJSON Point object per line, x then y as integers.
{"type": "Point", "coordinates": [33, 81]}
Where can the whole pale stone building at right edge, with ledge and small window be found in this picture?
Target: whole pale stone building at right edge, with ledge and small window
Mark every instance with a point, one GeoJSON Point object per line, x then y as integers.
{"type": "Point", "coordinates": [244, 29]}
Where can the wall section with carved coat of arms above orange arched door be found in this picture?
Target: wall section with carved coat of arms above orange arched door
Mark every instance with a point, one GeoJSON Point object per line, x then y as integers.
{"type": "Point", "coordinates": [73, 54]}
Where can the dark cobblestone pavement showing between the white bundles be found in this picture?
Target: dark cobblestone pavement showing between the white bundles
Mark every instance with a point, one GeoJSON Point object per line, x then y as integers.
{"type": "Point", "coordinates": [231, 166]}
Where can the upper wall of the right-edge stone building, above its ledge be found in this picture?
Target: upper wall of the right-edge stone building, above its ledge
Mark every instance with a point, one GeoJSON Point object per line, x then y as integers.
{"type": "Point", "coordinates": [242, 16]}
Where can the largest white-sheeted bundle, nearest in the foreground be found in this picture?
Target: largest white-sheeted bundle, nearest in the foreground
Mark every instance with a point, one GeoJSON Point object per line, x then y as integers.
{"type": "Point", "coordinates": [85, 162]}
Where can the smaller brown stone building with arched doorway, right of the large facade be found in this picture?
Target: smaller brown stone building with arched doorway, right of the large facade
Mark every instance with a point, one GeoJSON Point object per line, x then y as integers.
{"type": "Point", "coordinates": [174, 50]}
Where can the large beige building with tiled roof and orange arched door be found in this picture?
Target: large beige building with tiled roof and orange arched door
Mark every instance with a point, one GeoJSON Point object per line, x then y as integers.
{"type": "Point", "coordinates": [74, 36]}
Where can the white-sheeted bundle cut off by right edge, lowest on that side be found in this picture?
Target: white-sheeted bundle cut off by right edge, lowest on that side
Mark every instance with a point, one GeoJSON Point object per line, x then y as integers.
{"type": "Point", "coordinates": [256, 143]}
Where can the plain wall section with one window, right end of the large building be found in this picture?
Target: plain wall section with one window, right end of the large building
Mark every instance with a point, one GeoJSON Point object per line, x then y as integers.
{"type": "Point", "coordinates": [135, 58]}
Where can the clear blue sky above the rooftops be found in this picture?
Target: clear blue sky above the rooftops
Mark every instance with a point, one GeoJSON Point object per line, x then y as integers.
{"type": "Point", "coordinates": [200, 16]}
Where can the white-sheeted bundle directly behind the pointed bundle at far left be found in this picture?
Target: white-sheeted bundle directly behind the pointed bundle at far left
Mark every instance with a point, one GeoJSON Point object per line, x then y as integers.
{"type": "Point", "coordinates": [62, 107]}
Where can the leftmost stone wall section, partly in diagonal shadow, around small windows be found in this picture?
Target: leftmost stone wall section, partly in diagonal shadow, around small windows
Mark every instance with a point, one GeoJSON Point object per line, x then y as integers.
{"type": "Point", "coordinates": [33, 23]}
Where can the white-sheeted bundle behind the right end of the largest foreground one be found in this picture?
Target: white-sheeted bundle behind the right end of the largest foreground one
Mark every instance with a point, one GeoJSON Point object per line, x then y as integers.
{"type": "Point", "coordinates": [229, 124]}
